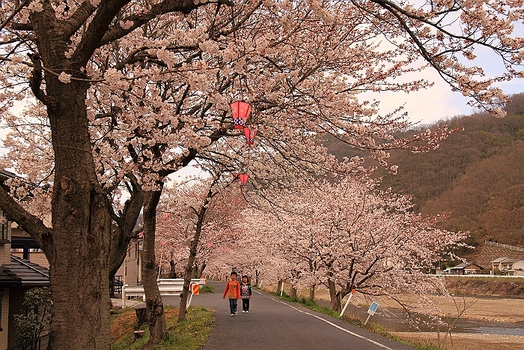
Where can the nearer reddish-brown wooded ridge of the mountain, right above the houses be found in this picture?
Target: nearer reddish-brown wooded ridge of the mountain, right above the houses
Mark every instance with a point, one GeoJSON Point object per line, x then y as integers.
{"type": "Point", "coordinates": [488, 199]}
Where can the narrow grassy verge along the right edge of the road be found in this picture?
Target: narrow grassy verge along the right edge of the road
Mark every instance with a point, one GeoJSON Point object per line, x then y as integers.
{"type": "Point", "coordinates": [372, 327]}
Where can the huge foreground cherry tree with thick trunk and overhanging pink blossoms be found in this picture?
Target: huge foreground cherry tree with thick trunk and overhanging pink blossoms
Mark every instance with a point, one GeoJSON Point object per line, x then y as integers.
{"type": "Point", "coordinates": [159, 76]}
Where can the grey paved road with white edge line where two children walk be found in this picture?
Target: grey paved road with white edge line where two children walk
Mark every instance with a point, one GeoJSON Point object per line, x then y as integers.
{"type": "Point", "coordinates": [274, 324]}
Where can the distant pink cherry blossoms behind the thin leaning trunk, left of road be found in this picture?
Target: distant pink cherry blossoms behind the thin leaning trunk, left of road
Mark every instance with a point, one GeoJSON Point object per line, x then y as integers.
{"type": "Point", "coordinates": [175, 229]}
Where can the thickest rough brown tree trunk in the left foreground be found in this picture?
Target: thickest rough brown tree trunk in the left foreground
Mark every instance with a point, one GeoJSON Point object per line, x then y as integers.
{"type": "Point", "coordinates": [78, 249]}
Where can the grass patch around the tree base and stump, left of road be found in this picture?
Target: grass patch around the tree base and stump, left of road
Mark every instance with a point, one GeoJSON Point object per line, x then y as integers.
{"type": "Point", "coordinates": [188, 335]}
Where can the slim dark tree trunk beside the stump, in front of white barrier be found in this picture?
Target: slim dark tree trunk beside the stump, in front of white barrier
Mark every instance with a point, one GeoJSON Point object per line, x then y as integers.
{"type": "Point", "coordinates": [154, 305]}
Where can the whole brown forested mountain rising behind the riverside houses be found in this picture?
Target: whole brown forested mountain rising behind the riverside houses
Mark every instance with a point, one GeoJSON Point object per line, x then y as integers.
{"type": "Point", "coordinates": [476, 176]}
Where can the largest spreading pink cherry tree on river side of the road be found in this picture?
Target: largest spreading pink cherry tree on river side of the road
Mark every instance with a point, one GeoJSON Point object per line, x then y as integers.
{"type": "Point", "coordinates": [349, 235]}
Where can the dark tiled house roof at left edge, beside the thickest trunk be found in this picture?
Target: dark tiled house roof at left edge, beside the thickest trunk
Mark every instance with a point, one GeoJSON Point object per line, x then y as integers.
{"type": "Point", "coordinates": [23, 273]}
